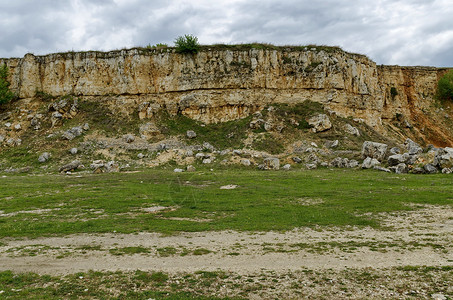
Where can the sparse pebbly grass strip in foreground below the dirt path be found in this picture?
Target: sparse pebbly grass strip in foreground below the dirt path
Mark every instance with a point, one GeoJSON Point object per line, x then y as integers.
{"type": "Point", "coordinates": [418, 282]}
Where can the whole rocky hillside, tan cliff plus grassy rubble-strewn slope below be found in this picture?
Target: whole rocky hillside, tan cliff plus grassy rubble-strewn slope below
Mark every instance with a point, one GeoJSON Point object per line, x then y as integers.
{"type": "Point", "coordinates": [135, 106]}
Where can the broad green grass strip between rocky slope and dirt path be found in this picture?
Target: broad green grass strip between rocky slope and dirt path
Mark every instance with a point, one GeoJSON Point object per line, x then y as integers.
{"type": "Point", "coordinates": [265, 200]}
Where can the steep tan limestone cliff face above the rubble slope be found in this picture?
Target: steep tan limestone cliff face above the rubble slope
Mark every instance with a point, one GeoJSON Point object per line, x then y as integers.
{"type": "Point", "coordinates": [217, 85]}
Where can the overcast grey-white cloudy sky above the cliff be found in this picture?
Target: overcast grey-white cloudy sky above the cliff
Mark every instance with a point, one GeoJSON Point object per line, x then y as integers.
{"type": "Point", "coordinates": [403, 32]}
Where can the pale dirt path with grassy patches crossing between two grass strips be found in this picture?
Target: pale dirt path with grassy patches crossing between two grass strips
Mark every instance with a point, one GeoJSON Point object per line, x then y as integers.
{"type": "Point", "coordinates": [423, 237]}
